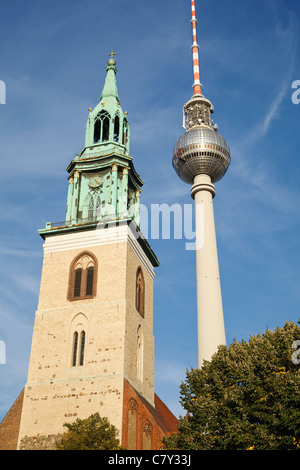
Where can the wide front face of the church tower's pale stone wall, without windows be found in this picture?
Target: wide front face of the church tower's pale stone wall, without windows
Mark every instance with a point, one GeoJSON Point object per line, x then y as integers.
{"type": "Point", "coordinates": [56, 392]}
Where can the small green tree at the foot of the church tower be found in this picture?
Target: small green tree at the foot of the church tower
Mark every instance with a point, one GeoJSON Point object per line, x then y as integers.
{"type": "Point", "coordinates": [93, 433]}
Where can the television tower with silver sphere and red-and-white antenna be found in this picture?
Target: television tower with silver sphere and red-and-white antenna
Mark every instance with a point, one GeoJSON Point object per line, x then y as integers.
{"type": "Point", "coordinates": [201, 157]}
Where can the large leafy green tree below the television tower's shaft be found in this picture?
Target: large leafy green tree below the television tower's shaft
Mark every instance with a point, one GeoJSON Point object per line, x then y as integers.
{"type": "Point", "coordinates": [247, 397]}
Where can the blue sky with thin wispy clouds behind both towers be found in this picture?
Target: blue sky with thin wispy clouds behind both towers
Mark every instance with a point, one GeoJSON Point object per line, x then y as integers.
{"type": "Point", "coordinates": [52, 59]}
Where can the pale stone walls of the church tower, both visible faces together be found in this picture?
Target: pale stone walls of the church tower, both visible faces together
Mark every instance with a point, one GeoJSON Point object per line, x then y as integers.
{"type": "Point", "coordinates": [56, 392]}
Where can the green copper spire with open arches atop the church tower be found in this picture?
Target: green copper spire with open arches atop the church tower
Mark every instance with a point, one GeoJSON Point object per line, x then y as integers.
{"type": "Point", "coordinates": [103, 183]}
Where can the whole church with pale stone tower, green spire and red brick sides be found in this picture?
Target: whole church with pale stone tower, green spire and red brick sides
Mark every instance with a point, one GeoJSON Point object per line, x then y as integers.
{"type": "Point", "coordinates": [93, 346]}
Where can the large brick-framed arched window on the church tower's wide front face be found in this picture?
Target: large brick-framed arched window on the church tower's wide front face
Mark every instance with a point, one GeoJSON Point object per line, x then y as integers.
{"type": "Point", "coordinates": [82, 278]}
